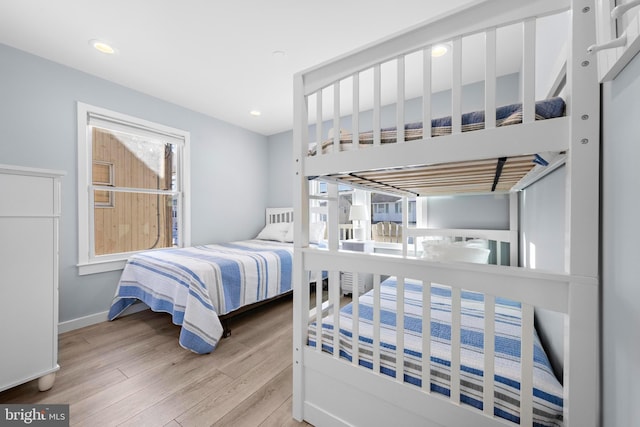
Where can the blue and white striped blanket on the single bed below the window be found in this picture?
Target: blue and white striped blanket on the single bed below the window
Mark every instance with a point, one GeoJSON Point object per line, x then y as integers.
{"type": "Point", "coordinates": [197, 284]}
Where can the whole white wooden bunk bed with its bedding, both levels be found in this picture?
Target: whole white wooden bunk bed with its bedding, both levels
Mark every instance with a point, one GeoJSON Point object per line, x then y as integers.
{"type": "Point", "coordinates": [361, 363]}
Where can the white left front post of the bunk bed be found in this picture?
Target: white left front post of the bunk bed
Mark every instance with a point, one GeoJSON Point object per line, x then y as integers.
{"type": "Point", "coordinates": [301, 240]}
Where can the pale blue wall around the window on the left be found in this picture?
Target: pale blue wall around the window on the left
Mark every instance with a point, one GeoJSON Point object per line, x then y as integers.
{"type": "Point", "coordinates": [38, 129]}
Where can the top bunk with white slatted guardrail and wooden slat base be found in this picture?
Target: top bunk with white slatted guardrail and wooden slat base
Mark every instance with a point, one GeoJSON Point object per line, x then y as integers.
{"type": "Point", "coordinates": [359, 118]}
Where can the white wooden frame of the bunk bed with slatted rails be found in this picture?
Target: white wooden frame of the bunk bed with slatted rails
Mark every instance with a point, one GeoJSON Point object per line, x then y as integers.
{"type": "Point", "coordinates": [330, 391]}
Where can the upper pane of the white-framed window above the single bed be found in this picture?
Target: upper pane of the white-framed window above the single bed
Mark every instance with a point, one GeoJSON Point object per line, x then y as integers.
{"type": "Point", "coordinates": [136, 162]}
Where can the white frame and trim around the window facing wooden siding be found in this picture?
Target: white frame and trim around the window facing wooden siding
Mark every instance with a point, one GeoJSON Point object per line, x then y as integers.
{"type": "Point", "coordinates": [88, 262]}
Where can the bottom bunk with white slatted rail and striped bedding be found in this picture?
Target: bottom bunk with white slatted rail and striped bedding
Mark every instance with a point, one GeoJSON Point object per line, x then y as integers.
{"type": "Point", "coordinates": [486, 364]}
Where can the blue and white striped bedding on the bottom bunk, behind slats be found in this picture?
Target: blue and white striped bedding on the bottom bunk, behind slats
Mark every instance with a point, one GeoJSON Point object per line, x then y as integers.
{"type": "Point", "coordinates": [547, 392]}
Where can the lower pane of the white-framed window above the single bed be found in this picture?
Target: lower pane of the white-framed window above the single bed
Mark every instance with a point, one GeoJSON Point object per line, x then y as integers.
{"type": "Point", "coordinates": [136, 221]}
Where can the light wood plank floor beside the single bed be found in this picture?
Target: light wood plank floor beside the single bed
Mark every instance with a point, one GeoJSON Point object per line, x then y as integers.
{"type": "Point", "coordinates": [132, 372]}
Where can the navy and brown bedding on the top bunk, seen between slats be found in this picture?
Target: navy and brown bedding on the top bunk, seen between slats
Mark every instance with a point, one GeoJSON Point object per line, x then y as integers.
{"type": "Point", "coordinates": [505, 116]}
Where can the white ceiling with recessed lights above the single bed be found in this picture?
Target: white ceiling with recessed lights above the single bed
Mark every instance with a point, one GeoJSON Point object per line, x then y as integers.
{"type": "Point", "coordinates": [214, 57]}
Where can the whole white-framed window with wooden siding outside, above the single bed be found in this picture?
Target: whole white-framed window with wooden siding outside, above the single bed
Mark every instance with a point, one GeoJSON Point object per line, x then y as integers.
{"type": "Point", "coordinates": [133, 189]}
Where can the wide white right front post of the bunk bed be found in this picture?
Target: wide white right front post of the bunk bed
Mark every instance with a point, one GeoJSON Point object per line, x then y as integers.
{"type": "Point", "coordinates": [582, 399]}
